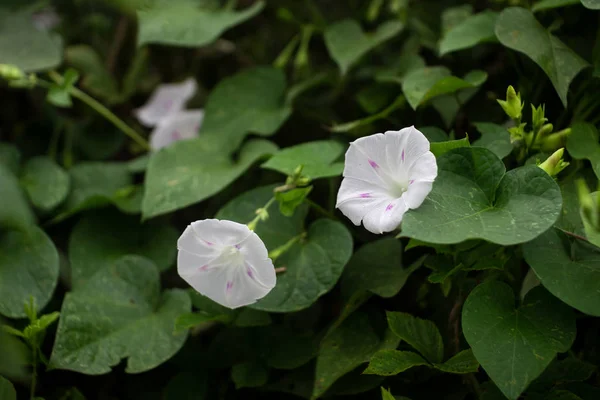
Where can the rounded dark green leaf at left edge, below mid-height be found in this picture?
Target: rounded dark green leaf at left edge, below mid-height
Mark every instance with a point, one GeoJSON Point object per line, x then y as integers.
{"type": "Point", "coordinates": [28, 268]}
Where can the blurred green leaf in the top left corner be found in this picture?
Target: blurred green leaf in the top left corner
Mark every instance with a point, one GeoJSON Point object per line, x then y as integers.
{"type": "Point", "coordinates": [23, 45]}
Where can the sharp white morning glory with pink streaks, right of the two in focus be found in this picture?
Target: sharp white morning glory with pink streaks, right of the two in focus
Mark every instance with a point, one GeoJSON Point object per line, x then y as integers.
{"type": "Point", "coordinates": [386, 175]}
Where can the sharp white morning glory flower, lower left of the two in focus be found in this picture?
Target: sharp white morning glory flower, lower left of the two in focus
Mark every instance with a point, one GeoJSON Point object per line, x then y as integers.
{"type": "Point", "coordinates": [226, 262]}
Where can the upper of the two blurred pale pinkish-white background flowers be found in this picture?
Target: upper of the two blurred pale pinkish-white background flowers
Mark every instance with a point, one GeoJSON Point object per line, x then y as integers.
{"type": "Point", "coordinates": [166, 100]}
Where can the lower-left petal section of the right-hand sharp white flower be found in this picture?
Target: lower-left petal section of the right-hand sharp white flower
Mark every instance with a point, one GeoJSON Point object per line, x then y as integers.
{"type": "Point", "coordinates": [357, 197]}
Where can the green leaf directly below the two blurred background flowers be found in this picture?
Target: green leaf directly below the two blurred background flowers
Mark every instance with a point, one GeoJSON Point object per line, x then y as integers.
{"type": "Point", "coordinates": [185, 173]}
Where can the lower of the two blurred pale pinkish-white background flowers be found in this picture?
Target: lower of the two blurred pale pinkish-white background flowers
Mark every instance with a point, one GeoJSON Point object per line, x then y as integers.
{"type": "Point", "coordinates": [180, 126]}
